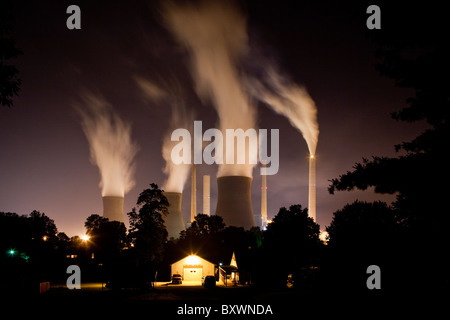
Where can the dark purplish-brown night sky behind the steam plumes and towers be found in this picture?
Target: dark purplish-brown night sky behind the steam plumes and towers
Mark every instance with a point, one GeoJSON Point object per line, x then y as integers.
{"type": "Point", "coordinates": [45, 163]}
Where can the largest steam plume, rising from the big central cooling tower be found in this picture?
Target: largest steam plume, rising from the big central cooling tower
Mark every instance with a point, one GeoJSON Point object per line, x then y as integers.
{"type": "Point", "coordinates": [215, 34]}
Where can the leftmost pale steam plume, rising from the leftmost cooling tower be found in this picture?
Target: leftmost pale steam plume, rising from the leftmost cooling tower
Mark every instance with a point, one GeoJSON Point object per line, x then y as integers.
{"type": "Point", "coordinates": [111, 147]}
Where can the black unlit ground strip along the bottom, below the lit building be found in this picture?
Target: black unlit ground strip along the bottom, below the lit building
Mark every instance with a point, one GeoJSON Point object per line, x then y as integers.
{"type": "Point", "coordinates": [164, 302]}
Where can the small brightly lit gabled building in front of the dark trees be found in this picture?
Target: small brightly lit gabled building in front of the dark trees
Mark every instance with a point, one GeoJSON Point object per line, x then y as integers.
{"type": "Point", "coordinates": [192, 268]}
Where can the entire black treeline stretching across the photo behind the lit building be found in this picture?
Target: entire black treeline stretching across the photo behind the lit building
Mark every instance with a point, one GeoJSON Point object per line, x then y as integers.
{"type": "Point", "coordinates": [361, 234]}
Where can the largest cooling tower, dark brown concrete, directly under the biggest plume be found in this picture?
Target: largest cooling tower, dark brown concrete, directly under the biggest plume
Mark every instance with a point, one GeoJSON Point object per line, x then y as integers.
{"type": "Point", "coordinates": [234, 203]}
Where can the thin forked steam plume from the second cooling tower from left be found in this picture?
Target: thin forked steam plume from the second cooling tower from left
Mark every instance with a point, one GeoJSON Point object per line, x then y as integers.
{"type": "Point", "coordinates": [177, 174]}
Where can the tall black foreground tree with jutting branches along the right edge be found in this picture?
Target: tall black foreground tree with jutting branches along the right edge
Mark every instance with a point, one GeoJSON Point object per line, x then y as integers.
{"type": "Point", "coordinates": [413, 50]}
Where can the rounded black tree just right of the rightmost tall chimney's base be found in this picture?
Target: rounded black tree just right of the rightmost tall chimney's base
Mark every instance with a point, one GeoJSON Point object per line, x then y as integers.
{"type": "Point", "coordinates": [360, 234]}
